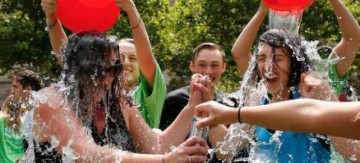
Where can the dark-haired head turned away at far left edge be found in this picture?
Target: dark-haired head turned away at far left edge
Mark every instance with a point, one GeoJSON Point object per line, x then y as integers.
{"type": "Point", "coordinates": [25, 81]}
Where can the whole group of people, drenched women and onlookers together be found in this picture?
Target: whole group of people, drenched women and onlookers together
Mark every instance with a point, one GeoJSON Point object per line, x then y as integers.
{"type": "Point", "coordinates": [110, 104]}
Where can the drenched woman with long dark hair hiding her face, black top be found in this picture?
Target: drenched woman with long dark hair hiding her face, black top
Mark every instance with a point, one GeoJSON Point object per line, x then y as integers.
{"type": "Point", "coordinates": [61, 128]}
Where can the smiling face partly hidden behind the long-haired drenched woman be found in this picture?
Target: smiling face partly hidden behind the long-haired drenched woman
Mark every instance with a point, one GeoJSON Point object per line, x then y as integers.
{"type": "Point", "coordinates": [131, 63]}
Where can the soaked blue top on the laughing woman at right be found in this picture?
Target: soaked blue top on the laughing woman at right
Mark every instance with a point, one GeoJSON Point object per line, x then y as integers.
{"type": "Point", "coordinates": [292, 147]}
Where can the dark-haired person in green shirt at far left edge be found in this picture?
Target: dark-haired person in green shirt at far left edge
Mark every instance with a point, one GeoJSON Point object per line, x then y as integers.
{"type": "Point", "coordinates": [11, 116]}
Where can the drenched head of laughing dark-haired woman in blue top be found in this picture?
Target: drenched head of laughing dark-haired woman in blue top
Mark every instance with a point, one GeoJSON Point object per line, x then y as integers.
{"type": "Point", "coordinates": [281, 60]}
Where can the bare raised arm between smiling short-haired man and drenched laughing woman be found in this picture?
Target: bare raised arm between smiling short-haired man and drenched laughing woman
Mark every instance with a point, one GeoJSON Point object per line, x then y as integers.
{"type": "Point", "coordinates": [242, 46]}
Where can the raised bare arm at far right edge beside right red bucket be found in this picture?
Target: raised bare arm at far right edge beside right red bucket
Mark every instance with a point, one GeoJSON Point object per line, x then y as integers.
{"type": "Point", "coordinates": [350, 37]}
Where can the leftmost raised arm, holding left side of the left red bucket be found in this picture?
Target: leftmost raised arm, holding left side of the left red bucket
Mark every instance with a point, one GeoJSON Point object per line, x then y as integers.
{"type": "Point", "coordinates": [56, 32]}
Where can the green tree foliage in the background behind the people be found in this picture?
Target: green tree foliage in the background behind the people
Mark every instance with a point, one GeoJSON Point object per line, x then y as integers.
{"type": "Point", "coordinates": [173, 30]}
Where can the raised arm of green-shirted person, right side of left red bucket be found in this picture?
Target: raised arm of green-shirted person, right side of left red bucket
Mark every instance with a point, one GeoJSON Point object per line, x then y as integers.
{"type": "Point", "coordinates": [147, 61]}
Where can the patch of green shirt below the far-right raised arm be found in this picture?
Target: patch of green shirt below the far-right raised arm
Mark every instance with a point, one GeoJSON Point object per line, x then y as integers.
{"type": "Point", "coordinates": [337, 83]}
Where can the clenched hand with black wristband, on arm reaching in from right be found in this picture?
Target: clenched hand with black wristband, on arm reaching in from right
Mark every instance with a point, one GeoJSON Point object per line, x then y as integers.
{"type": "Point", "coordinates": [214, 113]}
